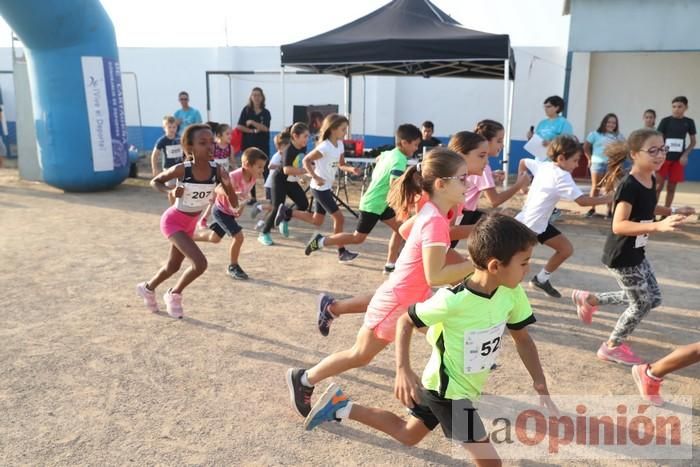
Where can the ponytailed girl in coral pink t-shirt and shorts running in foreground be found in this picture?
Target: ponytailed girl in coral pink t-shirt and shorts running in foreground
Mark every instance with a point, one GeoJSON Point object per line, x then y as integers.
{"type": "Point", "coordinates": [421, 265]}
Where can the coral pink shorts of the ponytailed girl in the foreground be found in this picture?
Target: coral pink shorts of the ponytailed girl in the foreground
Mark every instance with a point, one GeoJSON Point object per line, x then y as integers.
{"type": "Point", "coordinates": [385, 309]}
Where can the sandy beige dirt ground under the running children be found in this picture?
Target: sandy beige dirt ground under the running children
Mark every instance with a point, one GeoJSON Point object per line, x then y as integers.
{"type": "Point", "coordinates": [88, 376]}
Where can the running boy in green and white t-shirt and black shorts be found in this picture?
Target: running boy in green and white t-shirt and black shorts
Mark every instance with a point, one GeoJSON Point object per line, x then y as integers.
{"type": "Point", "coordinates": [374, 206]}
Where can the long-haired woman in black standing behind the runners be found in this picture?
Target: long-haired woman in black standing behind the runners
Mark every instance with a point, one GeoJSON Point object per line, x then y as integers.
{"type": "Point", "coordinates": [254, 123]}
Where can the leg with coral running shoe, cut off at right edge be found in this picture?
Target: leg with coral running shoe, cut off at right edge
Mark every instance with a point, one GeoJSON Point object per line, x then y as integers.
{"type": "Point", "coordinates": [648, 378]}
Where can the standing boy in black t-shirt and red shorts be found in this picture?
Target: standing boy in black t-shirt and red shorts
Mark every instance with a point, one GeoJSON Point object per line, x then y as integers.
{"type": "Point", "coordinates": [675, 128]}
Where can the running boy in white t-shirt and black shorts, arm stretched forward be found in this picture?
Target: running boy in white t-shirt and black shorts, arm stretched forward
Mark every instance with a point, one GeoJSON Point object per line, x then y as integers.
{"type": "Point", "coordinates": [552, 181]}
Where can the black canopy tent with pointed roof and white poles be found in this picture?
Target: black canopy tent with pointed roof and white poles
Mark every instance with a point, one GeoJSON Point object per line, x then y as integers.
{"type": "Point", "coordinates": [407, 38]}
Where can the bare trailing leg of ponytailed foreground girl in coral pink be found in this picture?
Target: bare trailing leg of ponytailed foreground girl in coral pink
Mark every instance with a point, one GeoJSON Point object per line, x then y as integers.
{"type": "Point", "coordinates": [366, 347]}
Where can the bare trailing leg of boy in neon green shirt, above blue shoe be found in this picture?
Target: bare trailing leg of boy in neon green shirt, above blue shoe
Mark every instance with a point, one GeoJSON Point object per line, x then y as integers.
{"type": "Point", "coordinates": [408, 432]}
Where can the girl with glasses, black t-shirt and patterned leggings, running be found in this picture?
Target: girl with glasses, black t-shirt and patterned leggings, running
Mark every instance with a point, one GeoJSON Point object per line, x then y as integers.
{"type": "Point", "coordinates": [624, 255]}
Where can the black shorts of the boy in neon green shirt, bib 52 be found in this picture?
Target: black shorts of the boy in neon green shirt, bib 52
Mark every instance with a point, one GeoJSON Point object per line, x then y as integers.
{"type": "Point", "coordinates": [435, 410]}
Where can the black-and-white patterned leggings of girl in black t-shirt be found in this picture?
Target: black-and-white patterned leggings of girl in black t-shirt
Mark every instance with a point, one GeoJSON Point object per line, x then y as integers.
{"type": "Point", "coordinates": [640, 292]}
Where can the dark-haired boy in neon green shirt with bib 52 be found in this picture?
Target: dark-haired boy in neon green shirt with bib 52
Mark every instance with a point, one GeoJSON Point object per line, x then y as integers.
{"type": "Point", "coordinates": [465, 326]}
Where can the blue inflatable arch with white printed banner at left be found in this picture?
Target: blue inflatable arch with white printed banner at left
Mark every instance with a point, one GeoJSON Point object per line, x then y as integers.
{"type": "Point", "coordinates": [76, 87]}
